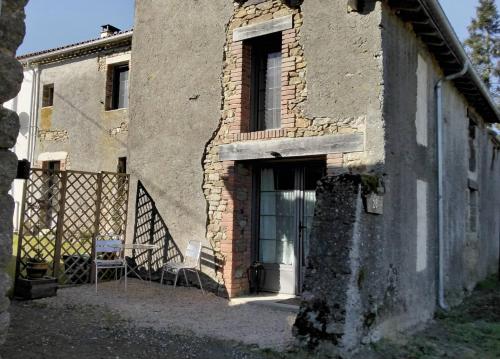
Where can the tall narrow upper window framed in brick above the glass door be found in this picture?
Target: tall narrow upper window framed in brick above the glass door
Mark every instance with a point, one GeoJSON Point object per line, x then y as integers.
{"type": "Point", "coordinates": [266, 82]}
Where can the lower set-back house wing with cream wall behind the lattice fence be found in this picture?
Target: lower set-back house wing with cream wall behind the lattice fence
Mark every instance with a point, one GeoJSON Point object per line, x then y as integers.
{"type": "Point", "coordinates": [73, 107]}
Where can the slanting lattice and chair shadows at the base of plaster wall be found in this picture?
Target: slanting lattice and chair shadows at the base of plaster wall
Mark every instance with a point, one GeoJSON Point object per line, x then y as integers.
{"type": "Point", "coordinates": [150, 228]}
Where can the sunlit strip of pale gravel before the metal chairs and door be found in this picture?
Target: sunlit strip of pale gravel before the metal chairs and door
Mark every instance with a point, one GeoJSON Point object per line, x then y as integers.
{"type": "Point", "coordinates": [184, 311]}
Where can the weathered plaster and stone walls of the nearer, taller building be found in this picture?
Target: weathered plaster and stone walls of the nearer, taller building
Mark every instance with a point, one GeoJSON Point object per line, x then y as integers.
{"type": "Point", "coordinates": [357, 95]}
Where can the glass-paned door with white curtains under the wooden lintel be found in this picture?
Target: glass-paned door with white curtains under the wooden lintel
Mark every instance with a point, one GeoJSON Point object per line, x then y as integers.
{"type": "Point", "coordinates": [287, 196]}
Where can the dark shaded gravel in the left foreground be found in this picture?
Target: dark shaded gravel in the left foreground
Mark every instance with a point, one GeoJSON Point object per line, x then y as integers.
{"type": "Point", "coordinates": [40, 331]}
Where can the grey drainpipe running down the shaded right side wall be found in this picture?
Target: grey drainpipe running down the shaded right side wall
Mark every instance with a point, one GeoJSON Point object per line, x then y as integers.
{"type": "Point", "coordinates": [440, 164]}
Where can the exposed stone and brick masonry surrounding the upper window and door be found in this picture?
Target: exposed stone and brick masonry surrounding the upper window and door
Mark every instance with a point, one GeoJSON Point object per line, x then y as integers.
{"type": "Point", "coordinates": [229, 199]}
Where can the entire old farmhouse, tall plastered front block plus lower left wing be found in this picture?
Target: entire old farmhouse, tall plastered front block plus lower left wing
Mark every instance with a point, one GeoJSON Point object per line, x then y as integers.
{"type": "Point", "coordinates": [343, 144]}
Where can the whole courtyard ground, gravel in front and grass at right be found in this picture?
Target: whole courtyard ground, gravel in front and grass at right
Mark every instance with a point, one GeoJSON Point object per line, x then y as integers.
{"type": "Point", "coordinates": [78, 324]}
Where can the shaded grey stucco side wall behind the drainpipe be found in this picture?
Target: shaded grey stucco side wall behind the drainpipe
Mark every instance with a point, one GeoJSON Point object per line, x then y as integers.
{"type": "Point", "coordinates": [414, 294]}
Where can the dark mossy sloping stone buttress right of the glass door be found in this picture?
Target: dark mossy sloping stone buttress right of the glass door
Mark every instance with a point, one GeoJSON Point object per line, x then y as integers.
{"type": "Point", "coordinates": [333, 273]}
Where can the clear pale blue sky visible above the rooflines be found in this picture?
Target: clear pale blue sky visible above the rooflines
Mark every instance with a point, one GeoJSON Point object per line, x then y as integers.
{"type": "Point", "coordinates": [53, 23]}
